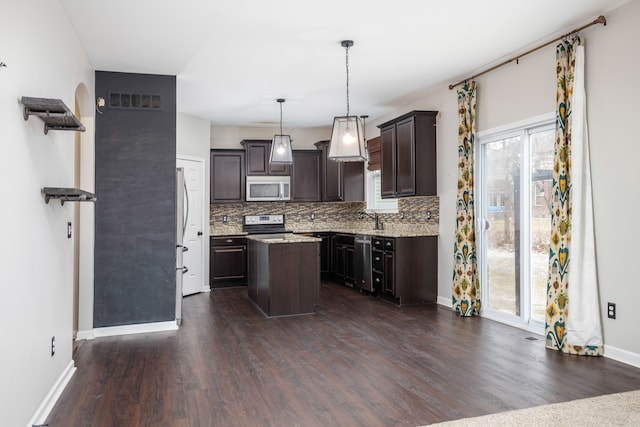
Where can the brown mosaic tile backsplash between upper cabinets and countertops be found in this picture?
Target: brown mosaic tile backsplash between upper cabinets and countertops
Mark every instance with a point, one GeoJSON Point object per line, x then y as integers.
{"type": "Point", "coordinates": [415, 214]}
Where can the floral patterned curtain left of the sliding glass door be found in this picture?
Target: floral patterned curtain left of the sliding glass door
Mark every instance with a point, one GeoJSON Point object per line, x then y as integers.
{"type": "Point", "coordinates": [466, 286]}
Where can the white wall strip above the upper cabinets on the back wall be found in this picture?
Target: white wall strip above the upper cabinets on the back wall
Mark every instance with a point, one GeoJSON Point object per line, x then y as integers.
{"type": "Point", "coordinates": [302, 138]}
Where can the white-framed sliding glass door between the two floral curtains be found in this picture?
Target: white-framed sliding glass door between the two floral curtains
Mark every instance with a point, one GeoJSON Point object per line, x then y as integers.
{"type": "Point", "coordinates": [514, 222]}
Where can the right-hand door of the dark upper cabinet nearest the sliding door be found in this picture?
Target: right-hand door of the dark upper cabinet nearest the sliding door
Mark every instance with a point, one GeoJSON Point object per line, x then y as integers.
{"type": "Point", "coordinates": [405, 158]}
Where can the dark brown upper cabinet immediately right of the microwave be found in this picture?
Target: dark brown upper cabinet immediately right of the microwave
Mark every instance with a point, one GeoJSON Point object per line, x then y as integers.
{"type": "Point", "coordinates": [305, 176]}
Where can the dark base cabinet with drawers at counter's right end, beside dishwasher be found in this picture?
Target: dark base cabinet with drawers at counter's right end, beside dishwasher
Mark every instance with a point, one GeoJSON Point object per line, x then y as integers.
{"type": "Point", "coordinates": [405, 269]}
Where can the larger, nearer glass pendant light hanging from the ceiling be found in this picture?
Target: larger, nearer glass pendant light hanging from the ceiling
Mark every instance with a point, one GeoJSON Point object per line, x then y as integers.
{"type": "Point", "coordinates": [347, 135]}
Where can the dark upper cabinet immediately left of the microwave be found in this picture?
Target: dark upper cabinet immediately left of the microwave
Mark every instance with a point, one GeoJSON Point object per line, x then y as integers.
{"type": "Point", "coordinates": [227, 176]}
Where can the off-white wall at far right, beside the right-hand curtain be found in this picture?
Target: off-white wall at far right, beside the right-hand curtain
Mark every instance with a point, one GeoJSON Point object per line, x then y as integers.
{"type": "Point", "coordinates": [613, 66]}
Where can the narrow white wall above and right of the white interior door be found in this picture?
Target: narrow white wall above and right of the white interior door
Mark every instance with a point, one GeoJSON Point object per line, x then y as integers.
{"type": "Point", "coordinates": [193, 138]}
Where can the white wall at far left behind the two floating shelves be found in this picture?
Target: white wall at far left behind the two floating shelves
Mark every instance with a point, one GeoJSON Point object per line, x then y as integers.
{"type": "Point", "coordinates": [44, 59]}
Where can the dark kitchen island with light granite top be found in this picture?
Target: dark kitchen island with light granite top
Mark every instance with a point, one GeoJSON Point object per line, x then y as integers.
{"type": "Point", "coordinates": [283, 273]}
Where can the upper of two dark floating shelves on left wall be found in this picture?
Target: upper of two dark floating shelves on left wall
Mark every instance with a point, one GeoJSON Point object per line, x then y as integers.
{"type": "Point", "coordinates": [53, 112]}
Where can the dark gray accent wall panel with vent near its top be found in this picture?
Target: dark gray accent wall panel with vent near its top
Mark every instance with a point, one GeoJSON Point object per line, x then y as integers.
{"type": "Point", "coordinates": [135, 163]}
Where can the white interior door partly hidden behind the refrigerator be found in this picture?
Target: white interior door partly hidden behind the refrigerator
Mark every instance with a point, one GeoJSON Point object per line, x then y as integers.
{"type": "Point", "coordinates": [193, 258]}
